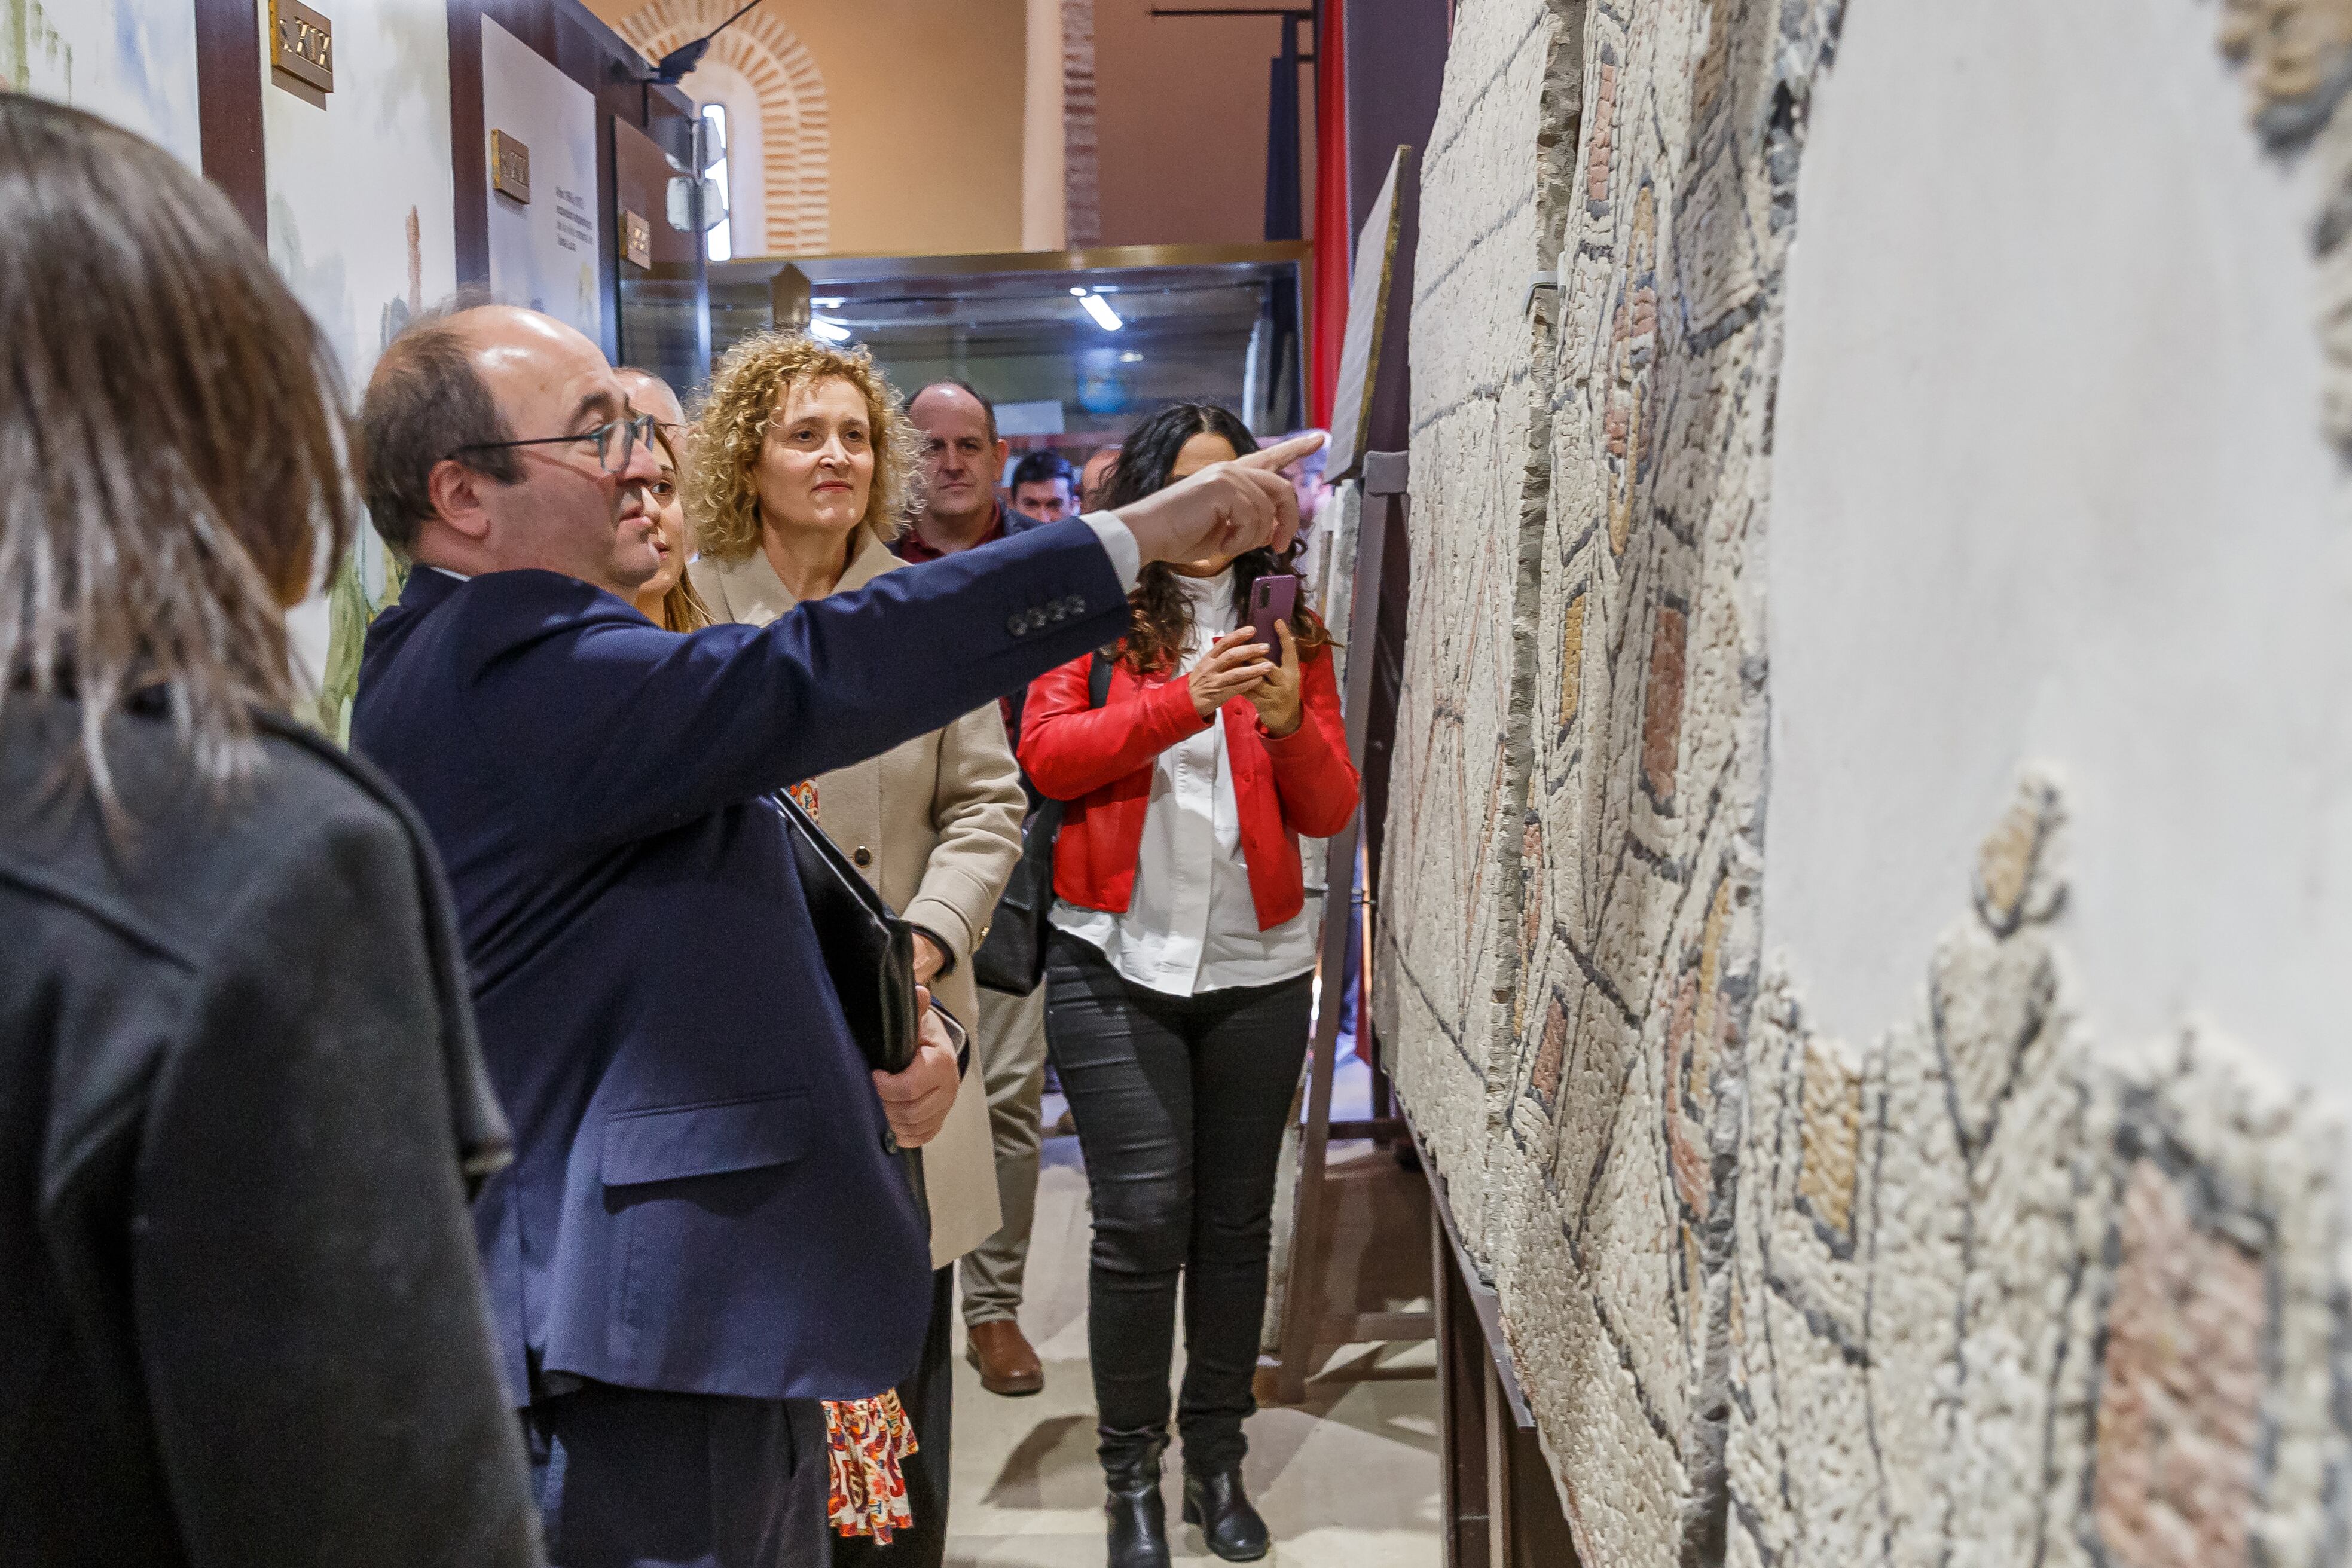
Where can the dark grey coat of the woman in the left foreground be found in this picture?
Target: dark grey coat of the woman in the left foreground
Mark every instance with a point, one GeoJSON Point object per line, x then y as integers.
{"type": "Point", "coordinates": [241, 1315]}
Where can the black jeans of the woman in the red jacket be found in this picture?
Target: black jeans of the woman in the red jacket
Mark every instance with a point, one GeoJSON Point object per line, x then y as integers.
{"type": "Point", "coordinates": [1180, 1108]}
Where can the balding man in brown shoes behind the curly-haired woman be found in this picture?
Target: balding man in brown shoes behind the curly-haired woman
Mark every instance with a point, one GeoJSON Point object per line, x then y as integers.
{"type": "Point", "coordinates": [961, 462]}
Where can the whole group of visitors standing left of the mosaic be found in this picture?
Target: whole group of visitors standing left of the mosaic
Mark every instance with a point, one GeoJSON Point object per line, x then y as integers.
{"type": "Point", "coordinates": [465, 1151]}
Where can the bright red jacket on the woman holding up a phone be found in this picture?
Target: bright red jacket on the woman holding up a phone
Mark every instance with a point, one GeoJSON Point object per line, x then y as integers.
{"type": "Point", "coordinates": [1102, 763]}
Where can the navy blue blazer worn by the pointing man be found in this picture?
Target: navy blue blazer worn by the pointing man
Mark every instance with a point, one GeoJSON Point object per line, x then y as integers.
{"type": "Point", "coordinates": [700, 1195]}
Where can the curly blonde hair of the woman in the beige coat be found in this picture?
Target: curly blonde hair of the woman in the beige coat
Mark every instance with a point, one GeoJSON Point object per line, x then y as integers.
{"type": "Point", "coordinates": [747, 396]}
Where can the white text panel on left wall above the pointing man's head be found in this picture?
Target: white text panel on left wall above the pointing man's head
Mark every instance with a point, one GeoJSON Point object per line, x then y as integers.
{"type": "Point", "coordinates": [544, 253]}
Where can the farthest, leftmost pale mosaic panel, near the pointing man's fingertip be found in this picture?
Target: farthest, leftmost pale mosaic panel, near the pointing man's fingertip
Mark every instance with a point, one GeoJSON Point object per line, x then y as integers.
{"type": "Point", "coordinates": [1483, 356]}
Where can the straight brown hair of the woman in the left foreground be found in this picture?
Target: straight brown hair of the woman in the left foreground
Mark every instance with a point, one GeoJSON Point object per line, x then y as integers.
{"type": "Point", "coordinates": [173, 443]}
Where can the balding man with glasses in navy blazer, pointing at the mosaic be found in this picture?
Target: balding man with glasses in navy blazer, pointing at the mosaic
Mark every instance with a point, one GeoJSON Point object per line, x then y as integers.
{"type": "Point", "coordinates": [702, 1233]}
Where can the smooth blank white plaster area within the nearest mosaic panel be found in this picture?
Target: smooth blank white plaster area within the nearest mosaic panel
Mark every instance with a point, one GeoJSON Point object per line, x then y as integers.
{"type": "Point", "coordinates": [2050, 483]}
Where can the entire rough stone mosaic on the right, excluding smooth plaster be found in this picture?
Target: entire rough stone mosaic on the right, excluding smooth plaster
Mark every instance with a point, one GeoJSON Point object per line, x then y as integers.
{"type": "Point", "coordinates": [1972, 1294]}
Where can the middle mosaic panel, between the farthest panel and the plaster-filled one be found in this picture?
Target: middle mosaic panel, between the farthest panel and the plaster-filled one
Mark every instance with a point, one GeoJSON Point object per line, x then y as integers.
{"type": "Point", "coordinates": [1615, 1177]}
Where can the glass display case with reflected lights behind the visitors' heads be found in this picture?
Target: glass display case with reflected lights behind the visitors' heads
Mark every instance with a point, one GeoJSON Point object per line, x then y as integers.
{"type": "Point", "coordinates": [1071, 347]}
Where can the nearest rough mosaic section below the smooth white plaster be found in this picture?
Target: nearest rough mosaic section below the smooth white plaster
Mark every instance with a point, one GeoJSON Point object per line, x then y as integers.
{"type": "Point", "coordinates": [2007, 1299]}
